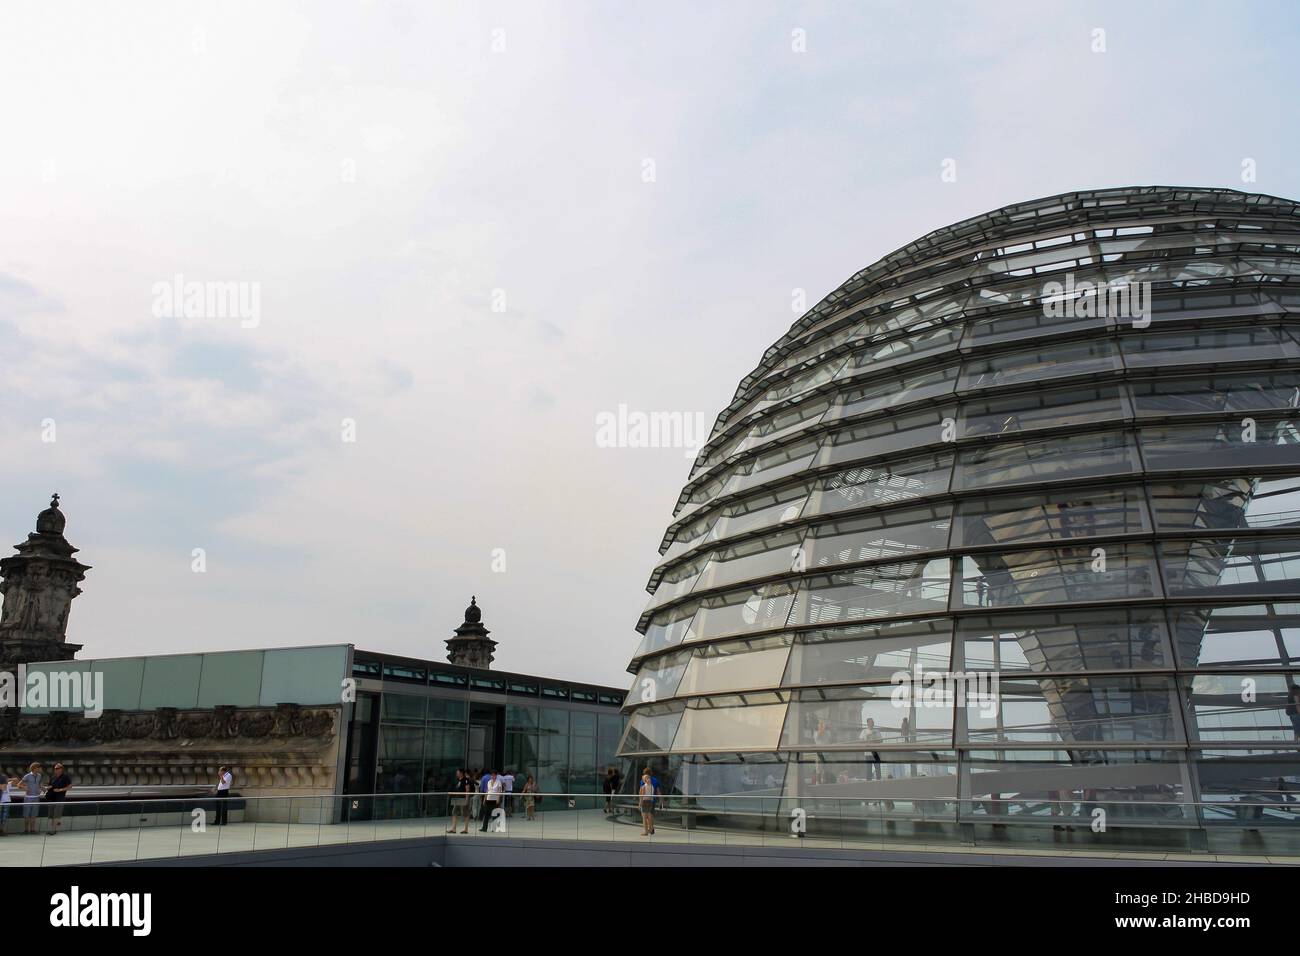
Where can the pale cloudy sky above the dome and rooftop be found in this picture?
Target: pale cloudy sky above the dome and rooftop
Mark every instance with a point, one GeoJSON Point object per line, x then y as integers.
{"type": "Point", "coordinates": [466, 232]}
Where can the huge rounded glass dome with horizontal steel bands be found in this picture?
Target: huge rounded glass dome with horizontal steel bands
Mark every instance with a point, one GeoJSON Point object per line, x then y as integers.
{"type": "Point", "coordinates": [1058, 444]}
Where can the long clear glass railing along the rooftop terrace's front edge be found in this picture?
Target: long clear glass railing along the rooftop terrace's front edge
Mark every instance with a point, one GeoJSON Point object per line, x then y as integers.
{"type": "Point", "coordinates": [158, 829]}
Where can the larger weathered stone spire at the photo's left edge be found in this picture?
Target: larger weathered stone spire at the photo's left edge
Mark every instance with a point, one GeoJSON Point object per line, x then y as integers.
{"type": "Point", "coordinates": [40, 586]}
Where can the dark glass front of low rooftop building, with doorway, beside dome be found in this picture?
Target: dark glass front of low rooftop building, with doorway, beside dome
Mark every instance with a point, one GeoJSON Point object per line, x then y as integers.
{"type": "Point", "coordinates": [417, 721]}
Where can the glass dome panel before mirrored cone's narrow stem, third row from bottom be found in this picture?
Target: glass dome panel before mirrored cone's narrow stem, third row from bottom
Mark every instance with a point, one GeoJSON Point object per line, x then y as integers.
{"type": "Point", "coordinates": [1056, 642]}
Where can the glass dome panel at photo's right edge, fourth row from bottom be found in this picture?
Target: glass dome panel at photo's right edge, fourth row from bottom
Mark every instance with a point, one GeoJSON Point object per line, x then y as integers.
{"type": "Point", "coordinates": [1232, 566]}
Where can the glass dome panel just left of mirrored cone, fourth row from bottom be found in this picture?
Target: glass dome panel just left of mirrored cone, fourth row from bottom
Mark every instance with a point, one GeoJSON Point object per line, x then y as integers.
{"type": "Point", "coordinates": [874, 592]}
